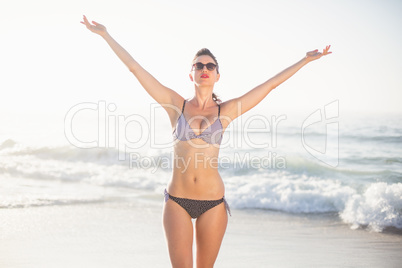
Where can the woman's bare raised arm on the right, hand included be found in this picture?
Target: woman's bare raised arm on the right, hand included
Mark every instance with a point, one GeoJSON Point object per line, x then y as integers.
{"type": "Point", "coordinates": [238, 106]}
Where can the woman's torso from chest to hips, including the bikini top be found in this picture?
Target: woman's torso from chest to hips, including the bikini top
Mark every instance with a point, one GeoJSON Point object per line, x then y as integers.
{"type": "Point", "coordinates": [195, 163]}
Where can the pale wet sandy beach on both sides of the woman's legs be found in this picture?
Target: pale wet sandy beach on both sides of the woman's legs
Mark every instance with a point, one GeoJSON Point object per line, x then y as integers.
{"type": "Point", "coordinates": [130, 234]}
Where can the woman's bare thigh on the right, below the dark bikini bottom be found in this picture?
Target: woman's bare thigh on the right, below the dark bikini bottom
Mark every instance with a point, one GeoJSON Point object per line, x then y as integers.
{"type": "Point", "coordinates": [210, 228]}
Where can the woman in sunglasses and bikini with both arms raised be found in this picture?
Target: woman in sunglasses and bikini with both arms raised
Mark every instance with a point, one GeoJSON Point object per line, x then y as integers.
{"type": "Point", "coordinates": [196, 189]}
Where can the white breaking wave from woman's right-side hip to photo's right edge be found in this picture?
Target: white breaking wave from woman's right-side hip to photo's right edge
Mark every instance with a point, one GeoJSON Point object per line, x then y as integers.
{"type": "Point", "coordinates": [377, 206]}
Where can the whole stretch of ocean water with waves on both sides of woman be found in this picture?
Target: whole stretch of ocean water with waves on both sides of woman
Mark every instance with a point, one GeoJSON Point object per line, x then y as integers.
{"type": "Point", "coordinates": [348, 165]}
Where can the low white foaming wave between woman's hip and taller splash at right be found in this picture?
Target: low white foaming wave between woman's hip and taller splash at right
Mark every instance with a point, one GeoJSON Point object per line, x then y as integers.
{"type": "Point", "coordinates": [287, 192]}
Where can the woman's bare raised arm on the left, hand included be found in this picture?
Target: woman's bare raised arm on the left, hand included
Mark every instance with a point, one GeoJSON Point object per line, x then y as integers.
{"type": "Point", "coordinates": [159, 92]}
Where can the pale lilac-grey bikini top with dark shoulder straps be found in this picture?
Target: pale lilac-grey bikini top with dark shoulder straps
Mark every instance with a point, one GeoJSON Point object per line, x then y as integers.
{"type": "Point", "coordinates": [212, 134]}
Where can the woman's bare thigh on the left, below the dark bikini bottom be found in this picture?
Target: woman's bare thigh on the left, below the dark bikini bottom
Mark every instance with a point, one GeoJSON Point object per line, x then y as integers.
{"type": "Point", "coordinates": [179, 234]}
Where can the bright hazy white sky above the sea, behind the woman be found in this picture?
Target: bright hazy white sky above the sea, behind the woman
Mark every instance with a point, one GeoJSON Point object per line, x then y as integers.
{"type": "Point", "coordinates": [50, 62]}
